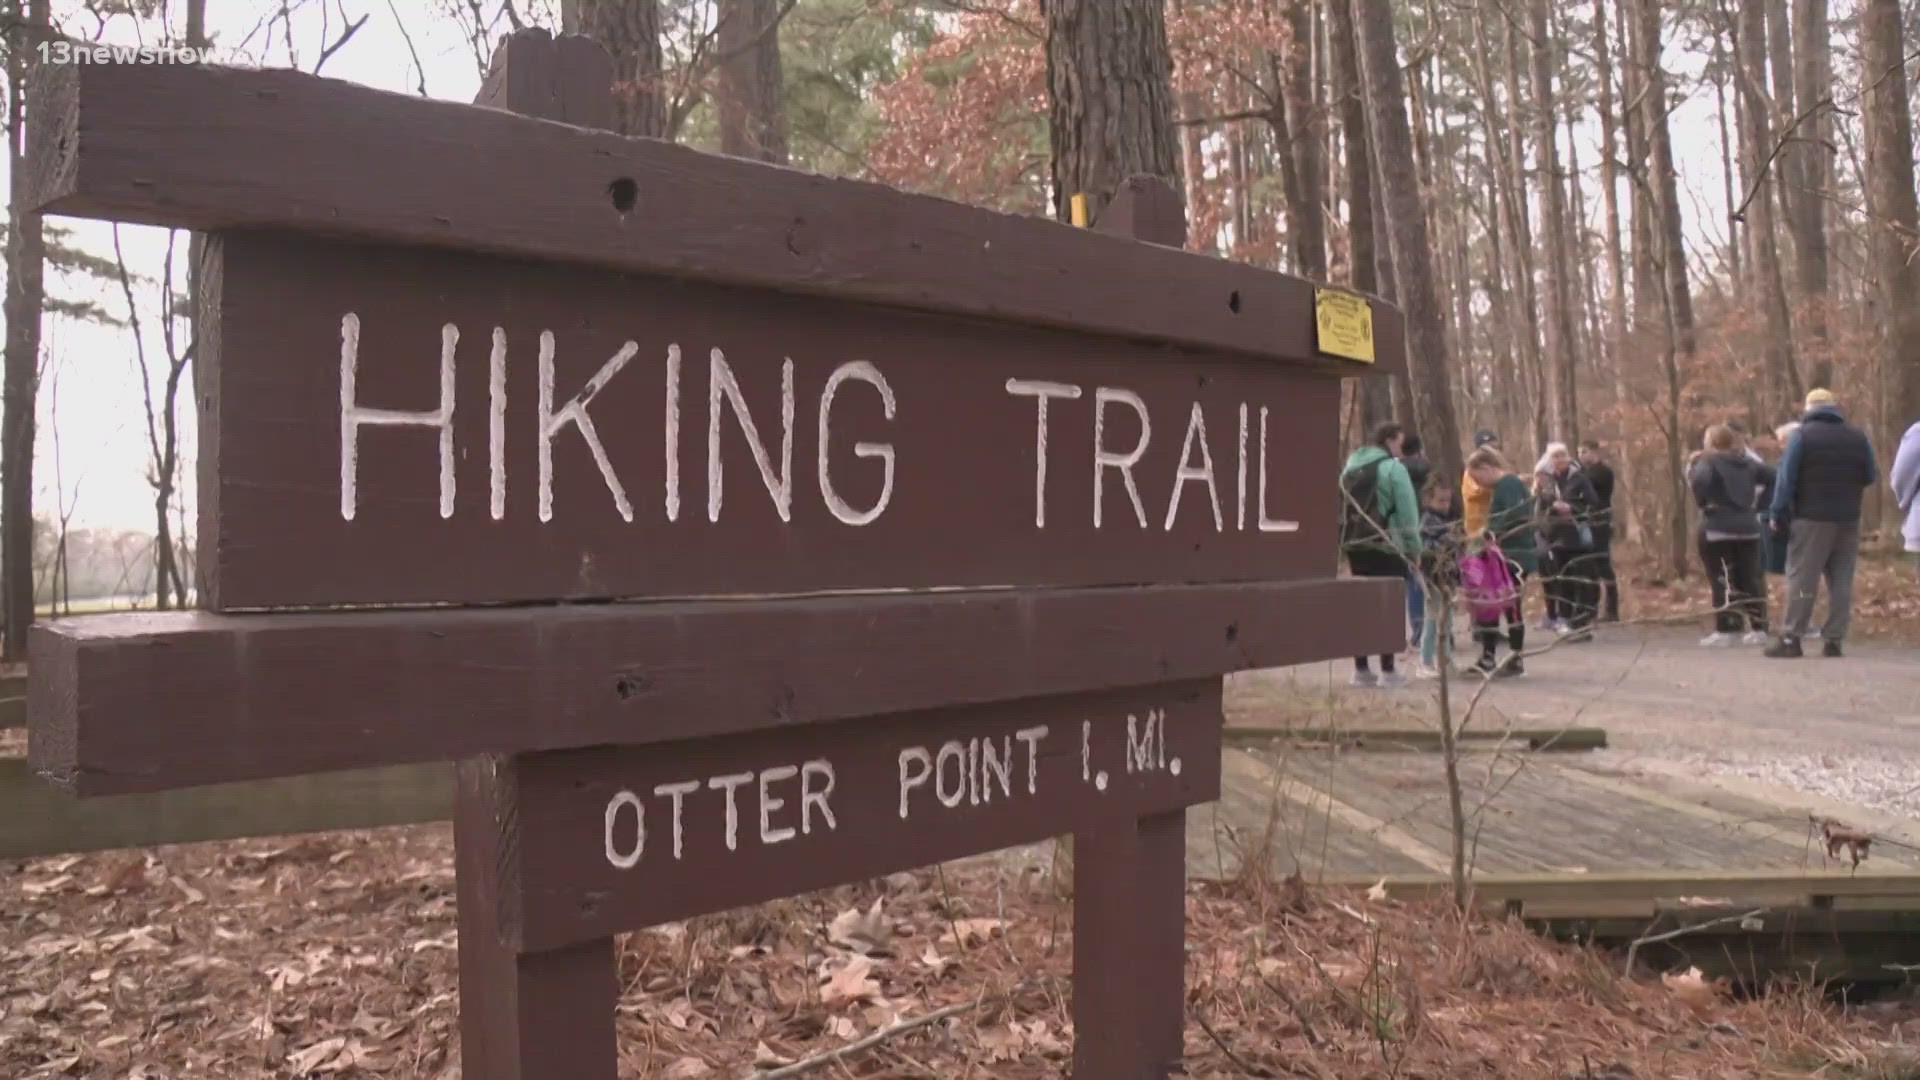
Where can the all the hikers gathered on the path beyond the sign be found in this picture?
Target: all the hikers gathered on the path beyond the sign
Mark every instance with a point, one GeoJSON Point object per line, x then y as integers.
{"type": "Point", "coordinates": [1487, 537]}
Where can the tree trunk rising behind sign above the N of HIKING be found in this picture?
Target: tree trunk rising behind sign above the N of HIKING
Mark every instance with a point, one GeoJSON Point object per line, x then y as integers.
{"type": "Point", "coordinates": [752, 95]}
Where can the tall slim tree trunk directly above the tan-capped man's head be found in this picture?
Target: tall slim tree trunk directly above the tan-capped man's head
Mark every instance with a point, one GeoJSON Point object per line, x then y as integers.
{"type": "Point", "coordinates": [1813, 84]}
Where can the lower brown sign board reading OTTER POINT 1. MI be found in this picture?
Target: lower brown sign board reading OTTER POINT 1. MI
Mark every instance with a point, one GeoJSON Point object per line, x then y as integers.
{"type": "Point", "coordinates": [656, 835]}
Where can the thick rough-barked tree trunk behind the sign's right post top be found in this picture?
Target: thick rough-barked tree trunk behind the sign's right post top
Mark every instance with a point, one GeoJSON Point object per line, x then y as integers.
{"type": "Point", "coordinates": [1111, 91]}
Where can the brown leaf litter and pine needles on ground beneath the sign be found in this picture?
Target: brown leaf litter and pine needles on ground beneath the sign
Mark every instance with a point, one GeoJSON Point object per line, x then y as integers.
{"type": "Point", "coordinates": [335, 956]}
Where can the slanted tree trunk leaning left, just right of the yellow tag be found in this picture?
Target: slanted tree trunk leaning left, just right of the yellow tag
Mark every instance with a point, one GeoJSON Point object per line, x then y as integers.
{"type": "Point", "coordinates": [1393, 141]}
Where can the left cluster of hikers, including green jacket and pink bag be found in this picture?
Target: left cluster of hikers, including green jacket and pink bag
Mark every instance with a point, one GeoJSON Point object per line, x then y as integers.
{"type": "Point", "coordinates": [1485, 537]}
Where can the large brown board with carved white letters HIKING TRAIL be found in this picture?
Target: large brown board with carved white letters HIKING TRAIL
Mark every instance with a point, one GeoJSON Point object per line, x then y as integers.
{"type": "Point", "coordinates": [533, 433]}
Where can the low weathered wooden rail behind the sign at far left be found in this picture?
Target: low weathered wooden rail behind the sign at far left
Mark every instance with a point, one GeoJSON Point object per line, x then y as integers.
{"type": "Point", "coordinates": [39, 820]}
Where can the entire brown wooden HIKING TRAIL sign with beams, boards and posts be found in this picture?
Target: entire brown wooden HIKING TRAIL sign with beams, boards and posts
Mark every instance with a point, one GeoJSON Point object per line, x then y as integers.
{"type": "Point", "coordinates": [742, 533]}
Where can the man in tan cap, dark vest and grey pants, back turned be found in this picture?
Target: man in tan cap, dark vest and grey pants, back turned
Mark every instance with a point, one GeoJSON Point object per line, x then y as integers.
{"type": "Point", "coordinates": [1817, 506]}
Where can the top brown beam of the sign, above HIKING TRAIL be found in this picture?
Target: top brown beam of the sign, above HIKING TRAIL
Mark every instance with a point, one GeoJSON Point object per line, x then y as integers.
{"type": "Point", "coordinates": [216, 149]}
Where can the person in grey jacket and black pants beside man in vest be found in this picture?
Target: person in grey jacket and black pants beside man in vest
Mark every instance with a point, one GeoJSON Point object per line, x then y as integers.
{"type": "Point", "coordinates": [1727, 485]}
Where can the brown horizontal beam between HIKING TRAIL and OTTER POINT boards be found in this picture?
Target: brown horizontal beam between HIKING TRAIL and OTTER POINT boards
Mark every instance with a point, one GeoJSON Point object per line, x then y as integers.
{"type": "Point", "coordinates": [166, 700]}
